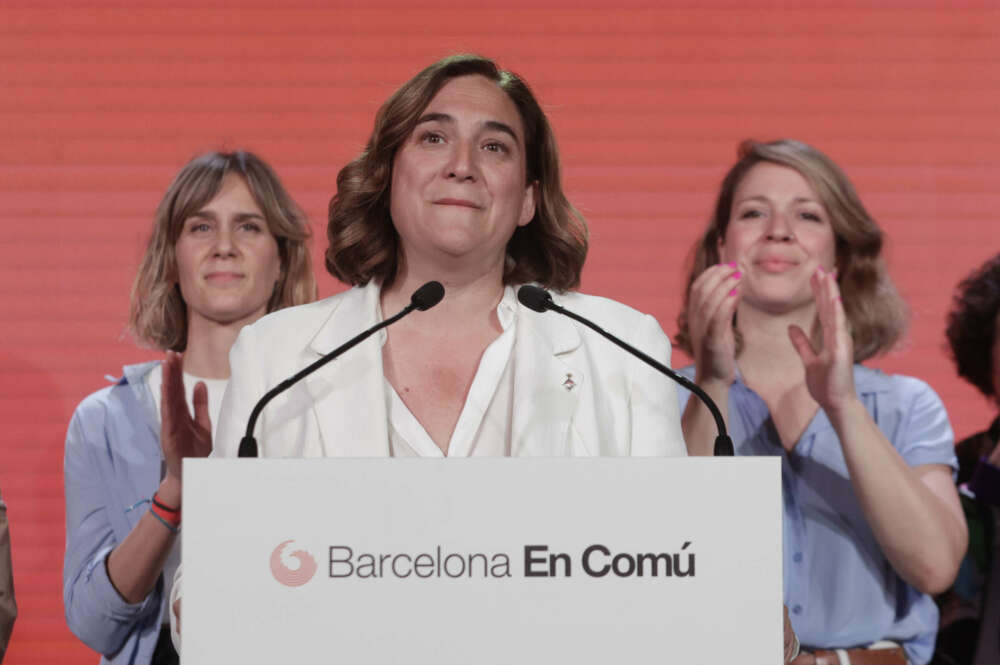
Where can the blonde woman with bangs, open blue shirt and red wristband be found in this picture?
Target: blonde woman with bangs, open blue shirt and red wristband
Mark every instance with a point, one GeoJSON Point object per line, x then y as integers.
{"type": "Point", "coordinates": [228, 245]}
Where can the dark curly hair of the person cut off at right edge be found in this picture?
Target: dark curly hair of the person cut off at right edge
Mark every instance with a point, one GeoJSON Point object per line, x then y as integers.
{"type": "Point", "coordinates": [972, 326]}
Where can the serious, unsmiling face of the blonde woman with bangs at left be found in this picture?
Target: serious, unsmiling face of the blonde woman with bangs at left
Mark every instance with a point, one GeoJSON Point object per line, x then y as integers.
{"type": "Point", "coordinates": [227, 259]}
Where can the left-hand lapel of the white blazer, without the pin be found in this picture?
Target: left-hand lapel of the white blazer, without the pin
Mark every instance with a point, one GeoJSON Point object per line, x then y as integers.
{"type": "Point", "coordinates": [348, 393]}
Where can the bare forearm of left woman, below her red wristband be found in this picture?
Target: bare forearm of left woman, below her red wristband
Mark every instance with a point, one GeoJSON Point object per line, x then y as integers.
{"type": "Point", "coordinates": [136, 563]}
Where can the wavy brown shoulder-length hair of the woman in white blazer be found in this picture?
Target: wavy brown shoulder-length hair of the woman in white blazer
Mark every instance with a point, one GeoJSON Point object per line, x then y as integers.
{"type": "Point", "coordinates": [364, 245]}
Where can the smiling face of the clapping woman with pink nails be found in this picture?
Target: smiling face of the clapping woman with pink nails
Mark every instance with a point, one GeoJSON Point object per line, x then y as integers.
{"type": "Point", "coordinates": [779, 232]}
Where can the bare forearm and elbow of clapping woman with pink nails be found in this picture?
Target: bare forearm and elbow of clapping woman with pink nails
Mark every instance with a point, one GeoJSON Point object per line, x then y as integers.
{"type": "Point", "coordinates": [921, 533]}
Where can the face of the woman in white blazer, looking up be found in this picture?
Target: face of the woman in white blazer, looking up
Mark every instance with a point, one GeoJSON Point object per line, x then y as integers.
{"type": "Point", "coordinates": [458, 187]}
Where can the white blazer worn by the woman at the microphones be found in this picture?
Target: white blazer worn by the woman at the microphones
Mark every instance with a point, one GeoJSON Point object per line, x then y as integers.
{"type": "Point", "coordinates": [617, 405]}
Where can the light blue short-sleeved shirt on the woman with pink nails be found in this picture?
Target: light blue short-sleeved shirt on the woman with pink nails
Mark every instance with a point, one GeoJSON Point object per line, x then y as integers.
{"type": "Point", "coordinates": [840, 589]}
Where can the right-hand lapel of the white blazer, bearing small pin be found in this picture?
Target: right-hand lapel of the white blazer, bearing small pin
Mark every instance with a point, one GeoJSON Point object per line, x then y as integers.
{"type": "Point", "coordinates": [549, 379]}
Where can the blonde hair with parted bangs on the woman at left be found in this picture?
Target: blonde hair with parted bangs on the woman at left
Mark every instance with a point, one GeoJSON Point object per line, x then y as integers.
{"type": "Point", "coordinates": [157, 312]}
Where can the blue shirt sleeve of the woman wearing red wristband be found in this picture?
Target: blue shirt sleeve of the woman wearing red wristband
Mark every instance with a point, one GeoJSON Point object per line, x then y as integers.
{"type": "Point", "coordinates": [95, 611]}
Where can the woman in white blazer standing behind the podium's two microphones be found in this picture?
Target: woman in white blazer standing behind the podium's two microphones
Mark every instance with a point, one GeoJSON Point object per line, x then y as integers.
{"type": "Point", "coordinates": [458, 183]}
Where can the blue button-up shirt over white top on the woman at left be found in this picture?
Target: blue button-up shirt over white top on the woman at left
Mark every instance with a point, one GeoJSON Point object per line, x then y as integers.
{"type": "Point", "coordinates": [113, 463]}
